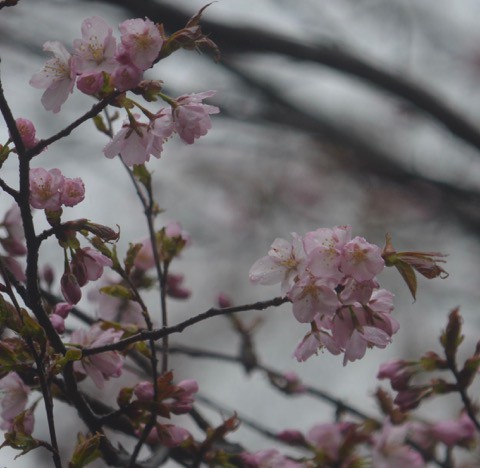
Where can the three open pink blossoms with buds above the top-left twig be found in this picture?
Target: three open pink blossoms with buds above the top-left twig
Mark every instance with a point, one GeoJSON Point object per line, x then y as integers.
{"type": "Point", "coordinates": [97, 58]}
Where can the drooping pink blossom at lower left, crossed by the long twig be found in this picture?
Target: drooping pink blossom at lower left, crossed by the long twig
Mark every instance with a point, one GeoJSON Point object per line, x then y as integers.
{"type": "Point", "coordinates": [99, 367]}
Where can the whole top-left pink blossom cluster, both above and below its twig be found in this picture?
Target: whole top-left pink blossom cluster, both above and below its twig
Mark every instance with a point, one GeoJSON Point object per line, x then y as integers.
{"type": "Point", "coordinates": [98, 63]}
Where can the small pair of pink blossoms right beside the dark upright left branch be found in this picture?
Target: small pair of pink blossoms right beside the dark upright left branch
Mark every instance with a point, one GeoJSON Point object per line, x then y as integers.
{"type": "Point", "coordinates": [49, 190]}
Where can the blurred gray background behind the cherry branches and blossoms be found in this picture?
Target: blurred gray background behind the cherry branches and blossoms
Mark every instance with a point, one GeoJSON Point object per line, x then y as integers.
{"type": "Point", "coordinates": [360, 112]}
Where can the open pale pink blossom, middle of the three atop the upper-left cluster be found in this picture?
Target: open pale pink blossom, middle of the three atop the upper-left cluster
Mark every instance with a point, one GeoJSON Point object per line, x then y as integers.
{"type": "Point", "coordinates": [95, 52]}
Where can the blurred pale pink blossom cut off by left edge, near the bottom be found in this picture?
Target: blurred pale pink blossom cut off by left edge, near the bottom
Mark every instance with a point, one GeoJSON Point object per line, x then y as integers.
{"type": "Point", "coordinates": [14, 397]}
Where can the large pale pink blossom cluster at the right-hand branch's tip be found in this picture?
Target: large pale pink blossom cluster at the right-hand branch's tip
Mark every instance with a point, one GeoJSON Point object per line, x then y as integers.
{"type": "Point", "coordinates": [330, 279]}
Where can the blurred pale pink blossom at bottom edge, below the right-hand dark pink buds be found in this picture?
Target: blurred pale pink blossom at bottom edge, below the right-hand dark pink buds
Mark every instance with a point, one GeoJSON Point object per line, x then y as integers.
{"type": "Point", "coordinates": [391, 451]}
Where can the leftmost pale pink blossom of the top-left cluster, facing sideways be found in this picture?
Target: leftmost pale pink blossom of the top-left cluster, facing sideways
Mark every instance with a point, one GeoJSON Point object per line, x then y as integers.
{"type": "Point", "coordinates": [57, 77]}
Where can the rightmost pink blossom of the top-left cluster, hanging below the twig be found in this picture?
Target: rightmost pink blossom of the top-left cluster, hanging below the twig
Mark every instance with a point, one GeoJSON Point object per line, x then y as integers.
{"type": "Point", "coordinates": [192, 117]}
